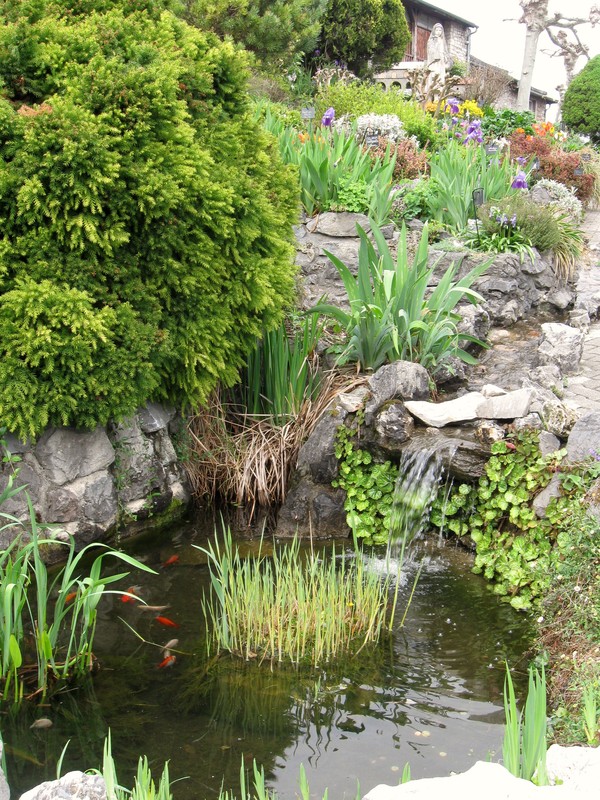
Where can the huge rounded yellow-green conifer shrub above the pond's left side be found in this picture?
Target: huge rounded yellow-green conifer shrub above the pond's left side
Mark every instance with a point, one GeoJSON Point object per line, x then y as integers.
{"type": "Point", "coordinates": [136, 182]}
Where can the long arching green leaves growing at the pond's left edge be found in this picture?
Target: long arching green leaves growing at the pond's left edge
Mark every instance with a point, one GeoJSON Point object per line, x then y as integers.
{"type": "Point", "coordinates": [48, 620]}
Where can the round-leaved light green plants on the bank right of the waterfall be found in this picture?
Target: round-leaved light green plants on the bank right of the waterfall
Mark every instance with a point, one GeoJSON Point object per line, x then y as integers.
{"type": "Point", "coordinates": [514, 548]}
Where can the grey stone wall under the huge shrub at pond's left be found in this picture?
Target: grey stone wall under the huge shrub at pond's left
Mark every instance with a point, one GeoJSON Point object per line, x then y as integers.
{"type": "Point", "coordinates": [89, 483]}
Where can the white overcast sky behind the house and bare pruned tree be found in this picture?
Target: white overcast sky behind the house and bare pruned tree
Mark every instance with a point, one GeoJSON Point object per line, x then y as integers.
{"type": "Point", "coordinates": [500, 42]}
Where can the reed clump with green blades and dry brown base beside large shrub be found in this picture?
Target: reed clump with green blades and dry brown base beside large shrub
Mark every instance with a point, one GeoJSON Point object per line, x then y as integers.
{"type": "Point", "coordinates": [242, 446]}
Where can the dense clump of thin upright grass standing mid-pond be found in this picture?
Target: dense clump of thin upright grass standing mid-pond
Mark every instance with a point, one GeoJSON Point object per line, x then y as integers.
{"type": "Point", "coordinates": [294, 607]}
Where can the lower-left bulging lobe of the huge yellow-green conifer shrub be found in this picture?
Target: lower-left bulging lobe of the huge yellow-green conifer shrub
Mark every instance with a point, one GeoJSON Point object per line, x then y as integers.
{"type": "Point", "coordinates": [62, 361]}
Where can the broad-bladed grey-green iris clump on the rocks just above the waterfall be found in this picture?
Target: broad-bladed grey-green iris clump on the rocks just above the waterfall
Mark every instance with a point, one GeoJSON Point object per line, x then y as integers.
{"type": "Point", "coordinates": [393, 314]}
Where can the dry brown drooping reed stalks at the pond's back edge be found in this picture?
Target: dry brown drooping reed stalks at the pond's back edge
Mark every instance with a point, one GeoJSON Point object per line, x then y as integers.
{"type": "Point", "coordinates": [247, 460]}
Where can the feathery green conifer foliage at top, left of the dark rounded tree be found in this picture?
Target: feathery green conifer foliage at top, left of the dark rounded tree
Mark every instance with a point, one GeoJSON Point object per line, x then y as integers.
{"type": "Point", "coordinates": [276, 31]}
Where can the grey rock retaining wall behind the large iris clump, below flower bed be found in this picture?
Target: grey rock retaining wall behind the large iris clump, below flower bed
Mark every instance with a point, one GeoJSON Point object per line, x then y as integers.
{"type": "Point", "coordinates": [512, 288]}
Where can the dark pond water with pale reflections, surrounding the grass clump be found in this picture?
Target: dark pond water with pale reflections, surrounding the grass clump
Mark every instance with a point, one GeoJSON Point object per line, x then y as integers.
{"type": "Point", "coordinates": [430, 695]}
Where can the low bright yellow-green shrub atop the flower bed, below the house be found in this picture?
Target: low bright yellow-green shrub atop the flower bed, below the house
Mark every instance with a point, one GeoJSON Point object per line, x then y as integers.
{"type": "Point", "coordinates": [360, 97]}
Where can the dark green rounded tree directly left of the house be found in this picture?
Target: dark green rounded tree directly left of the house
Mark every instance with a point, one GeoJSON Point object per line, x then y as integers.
{"type": "Point", "coordinates": [368, 35]}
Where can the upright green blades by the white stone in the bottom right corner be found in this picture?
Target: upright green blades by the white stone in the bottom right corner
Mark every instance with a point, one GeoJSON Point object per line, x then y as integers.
{"type": "Point", "coordinates": [524, 747]}
